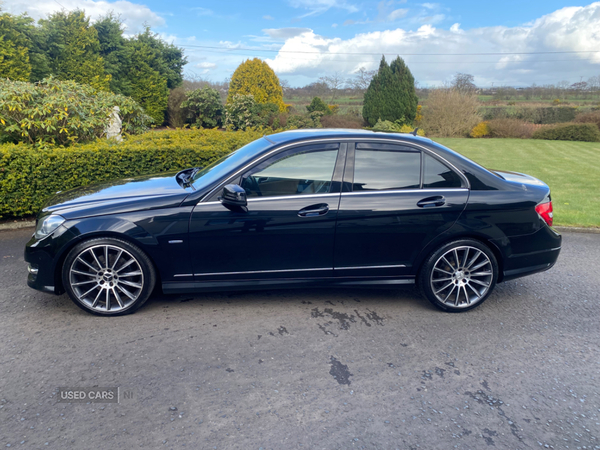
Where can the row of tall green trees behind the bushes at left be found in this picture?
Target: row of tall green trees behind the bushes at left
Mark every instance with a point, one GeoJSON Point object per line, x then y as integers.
{"type": "Point", "coordinates": [68, 46]}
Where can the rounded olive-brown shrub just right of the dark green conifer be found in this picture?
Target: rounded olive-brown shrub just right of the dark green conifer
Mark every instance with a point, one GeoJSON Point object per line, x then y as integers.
{"type": "Point", "coordinates": [449, 113]}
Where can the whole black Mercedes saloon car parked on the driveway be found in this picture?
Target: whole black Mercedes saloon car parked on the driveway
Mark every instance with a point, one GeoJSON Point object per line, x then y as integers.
{"type": "Point", "coordinates": [302, 208]}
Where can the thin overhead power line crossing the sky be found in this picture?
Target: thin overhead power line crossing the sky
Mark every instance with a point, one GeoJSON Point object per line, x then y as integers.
{"type": "Point", "coordinates": [232, 49]}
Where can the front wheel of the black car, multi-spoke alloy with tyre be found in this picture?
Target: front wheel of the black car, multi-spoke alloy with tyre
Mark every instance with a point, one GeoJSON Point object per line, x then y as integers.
{"type": "Point", "coordinates": [108, 276]}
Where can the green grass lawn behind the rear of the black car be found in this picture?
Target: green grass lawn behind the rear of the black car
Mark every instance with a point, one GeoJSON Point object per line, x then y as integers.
{"type": "Point", "coordinates": [571, 169]}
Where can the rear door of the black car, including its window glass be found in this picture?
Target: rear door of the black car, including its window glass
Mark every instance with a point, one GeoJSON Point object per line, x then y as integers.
{"type": "Point", "coordinates": [395, 199]}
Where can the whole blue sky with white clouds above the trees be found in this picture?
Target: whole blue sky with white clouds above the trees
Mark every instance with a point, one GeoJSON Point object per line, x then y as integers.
{"type": "Point", "coordinates": [508, 43]}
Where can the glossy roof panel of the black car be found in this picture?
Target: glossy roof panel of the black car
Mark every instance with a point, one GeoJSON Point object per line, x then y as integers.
{"type": "Point", "coordinates": [300, 135]}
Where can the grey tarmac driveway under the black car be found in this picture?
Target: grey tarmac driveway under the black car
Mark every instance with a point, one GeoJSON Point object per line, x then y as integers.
{"type": "Point", "coordinates": [322, 369]}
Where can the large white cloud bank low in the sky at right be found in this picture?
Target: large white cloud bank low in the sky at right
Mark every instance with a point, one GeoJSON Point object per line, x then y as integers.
{"type": "Point", "coordinates": [567, 29]}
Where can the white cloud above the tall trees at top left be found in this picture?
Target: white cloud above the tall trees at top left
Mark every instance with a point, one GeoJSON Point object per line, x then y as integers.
{"type": "Point", "coordinates": [134, 15]}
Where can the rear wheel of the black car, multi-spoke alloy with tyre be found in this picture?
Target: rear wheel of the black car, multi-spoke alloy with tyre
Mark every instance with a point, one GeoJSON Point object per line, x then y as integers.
{"type": "Point", "coordinates": [459, 275]}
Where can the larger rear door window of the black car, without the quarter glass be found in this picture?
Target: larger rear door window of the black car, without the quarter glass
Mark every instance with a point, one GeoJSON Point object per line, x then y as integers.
{"type": "Point", "coordinates": [379, 170]}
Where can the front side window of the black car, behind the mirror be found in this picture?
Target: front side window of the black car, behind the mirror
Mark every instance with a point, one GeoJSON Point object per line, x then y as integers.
{"type": "Point", "coordinates": [297, 174]}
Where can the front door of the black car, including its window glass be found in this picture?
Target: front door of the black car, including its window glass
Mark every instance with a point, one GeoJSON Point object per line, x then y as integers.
{"type": "Point", "coordinates": [288, 229]}
